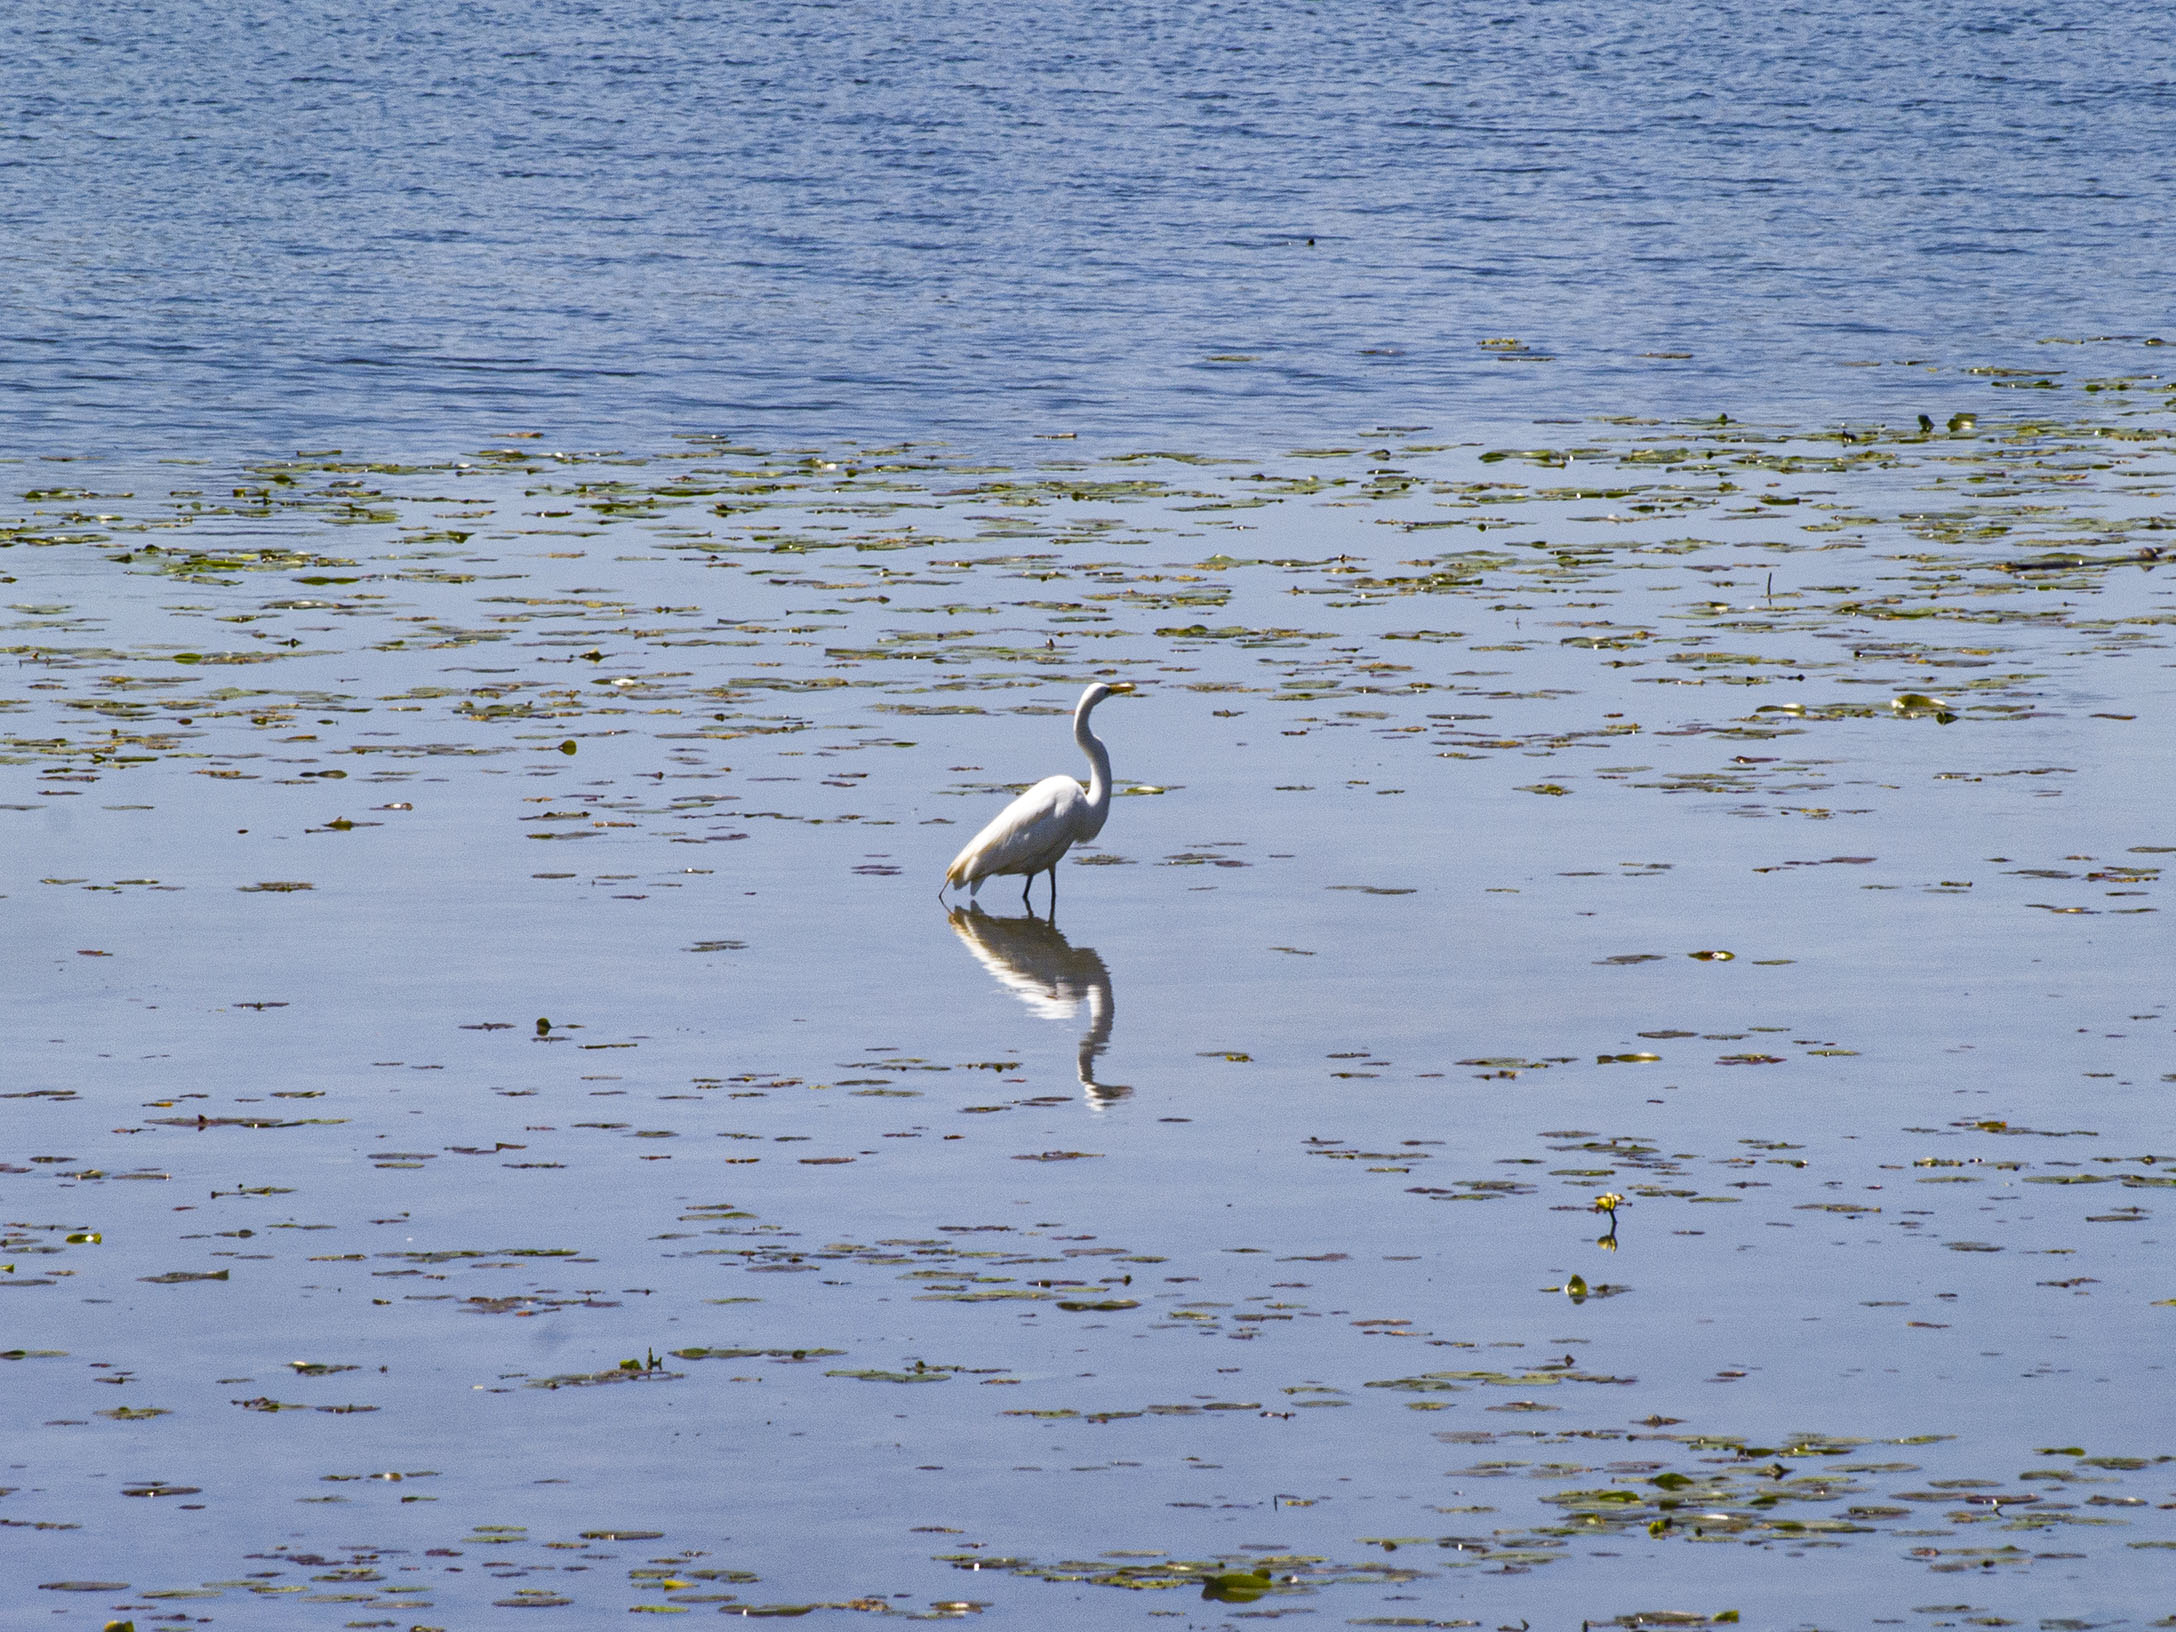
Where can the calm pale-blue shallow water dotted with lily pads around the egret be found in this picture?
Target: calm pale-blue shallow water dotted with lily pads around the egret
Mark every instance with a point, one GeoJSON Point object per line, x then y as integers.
{"type": "Point", "coordinates": [1703, 817]}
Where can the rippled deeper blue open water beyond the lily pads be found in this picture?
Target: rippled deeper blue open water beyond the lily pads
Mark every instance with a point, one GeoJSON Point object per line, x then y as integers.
{"type": "Point", "coordinates": [234, 230]}
